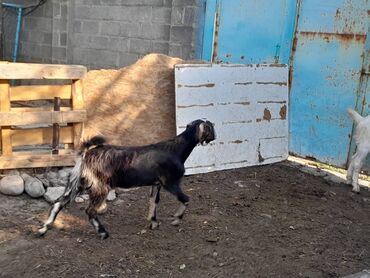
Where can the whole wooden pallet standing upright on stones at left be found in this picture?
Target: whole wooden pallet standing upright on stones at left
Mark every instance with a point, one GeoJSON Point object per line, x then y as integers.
{"type": "Point", "coordinates": [15, 121]}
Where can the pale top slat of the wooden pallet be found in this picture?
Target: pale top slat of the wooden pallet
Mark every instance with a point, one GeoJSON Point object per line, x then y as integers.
{"type": "Point", "coordinates": [9, 70]}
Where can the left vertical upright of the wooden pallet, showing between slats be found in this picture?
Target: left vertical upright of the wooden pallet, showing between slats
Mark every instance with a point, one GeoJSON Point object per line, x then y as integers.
{"type": "Point", "coordinates": [6, 143]}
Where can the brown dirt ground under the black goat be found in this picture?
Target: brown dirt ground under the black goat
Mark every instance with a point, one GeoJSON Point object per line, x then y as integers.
{"type": "Point", "coordinates": [266, 221]}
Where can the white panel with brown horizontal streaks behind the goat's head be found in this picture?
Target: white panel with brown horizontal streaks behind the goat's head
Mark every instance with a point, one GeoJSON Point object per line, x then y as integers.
{"type": "Point", "coordinates": [248, 105]}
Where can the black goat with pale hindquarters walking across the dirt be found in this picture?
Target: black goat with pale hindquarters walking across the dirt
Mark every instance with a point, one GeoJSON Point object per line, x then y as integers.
{"type": "Point", "coordinates": [102, 167]}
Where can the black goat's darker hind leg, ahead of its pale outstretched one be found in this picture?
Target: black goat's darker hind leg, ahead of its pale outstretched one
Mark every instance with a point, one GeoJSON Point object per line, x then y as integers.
{"type": "Point", "coordinates": [97, 198]}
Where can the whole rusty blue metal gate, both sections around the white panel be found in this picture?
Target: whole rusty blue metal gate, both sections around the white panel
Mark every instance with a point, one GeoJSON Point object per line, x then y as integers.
{"type": "Point", "coordinates": [326, 45]}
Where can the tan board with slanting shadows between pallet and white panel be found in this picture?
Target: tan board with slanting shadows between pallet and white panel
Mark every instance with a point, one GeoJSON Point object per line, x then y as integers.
{"type": "Point", "coordinates": [134, 105]}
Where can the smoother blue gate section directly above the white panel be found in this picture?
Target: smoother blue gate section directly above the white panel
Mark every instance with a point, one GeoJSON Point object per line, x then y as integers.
{"type": "Point", "coordinates": [249, 31]}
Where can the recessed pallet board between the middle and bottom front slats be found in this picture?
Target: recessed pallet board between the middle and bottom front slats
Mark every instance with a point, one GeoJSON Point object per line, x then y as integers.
{"type": "Point", "coordinates": [38, 136]}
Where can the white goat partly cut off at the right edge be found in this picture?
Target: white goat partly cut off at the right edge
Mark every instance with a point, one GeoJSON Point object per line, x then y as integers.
{"type": "Point", "coordinates": [362, 139]}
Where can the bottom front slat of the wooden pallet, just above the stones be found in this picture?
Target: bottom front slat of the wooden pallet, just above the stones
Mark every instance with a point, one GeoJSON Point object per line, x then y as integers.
{"type": "Point", "coordinates": [36, 160]}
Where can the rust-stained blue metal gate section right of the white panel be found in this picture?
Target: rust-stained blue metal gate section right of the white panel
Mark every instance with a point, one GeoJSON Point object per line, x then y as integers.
{"type": "Point", "coordinates": [329, 44]}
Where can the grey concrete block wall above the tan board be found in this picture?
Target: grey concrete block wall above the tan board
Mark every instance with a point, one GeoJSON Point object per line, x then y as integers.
{"type": "Point", "coordinates": [110, 33]}
